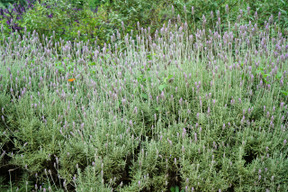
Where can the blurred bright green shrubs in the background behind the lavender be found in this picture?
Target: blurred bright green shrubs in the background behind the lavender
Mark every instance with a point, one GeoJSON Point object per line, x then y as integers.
{"type": "Point", "coordinates": [80, 20]}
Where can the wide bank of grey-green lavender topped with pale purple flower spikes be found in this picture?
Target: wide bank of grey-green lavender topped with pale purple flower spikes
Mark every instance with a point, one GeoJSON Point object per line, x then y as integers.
{"type": "Point", "coordinates": [123, 105]}
